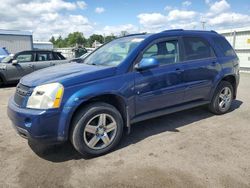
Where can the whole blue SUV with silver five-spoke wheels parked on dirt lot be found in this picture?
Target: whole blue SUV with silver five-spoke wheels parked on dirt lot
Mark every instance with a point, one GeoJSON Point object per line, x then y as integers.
{"type": "Point", "coordinates": [130, 79]}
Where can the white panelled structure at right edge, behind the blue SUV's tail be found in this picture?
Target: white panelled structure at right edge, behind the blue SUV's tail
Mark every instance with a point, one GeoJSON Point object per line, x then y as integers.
{"type": "Point", "coordinates": [239, 38]}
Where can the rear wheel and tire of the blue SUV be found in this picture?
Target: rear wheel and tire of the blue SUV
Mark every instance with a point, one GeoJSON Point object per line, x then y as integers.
{"type": "Point", "coordinates": [222, 99]}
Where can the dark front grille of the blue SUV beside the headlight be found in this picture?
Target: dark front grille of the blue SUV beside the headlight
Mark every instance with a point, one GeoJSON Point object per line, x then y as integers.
{"type": "Point", "coordinates": [21, 92]}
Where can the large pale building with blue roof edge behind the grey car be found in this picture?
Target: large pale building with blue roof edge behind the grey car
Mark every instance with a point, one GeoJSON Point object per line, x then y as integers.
{"type": "Point", "coordinates": [15, 41]}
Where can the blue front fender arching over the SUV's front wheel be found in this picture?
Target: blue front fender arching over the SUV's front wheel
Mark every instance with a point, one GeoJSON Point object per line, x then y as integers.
{"type": "Point", "coordinates": [88, 91]}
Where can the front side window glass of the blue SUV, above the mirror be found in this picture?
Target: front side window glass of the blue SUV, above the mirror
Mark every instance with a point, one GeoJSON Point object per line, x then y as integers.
{"type": "Point", "coordinates": [166, 52]}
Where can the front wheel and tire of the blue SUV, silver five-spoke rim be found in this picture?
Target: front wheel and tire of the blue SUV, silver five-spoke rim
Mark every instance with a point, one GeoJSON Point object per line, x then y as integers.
{"type": "Point", "coordinates": [96, 130]}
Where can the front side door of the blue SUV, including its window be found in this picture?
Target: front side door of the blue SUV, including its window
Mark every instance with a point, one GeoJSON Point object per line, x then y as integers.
{"type": "Point", "coordinates": [160, 87]}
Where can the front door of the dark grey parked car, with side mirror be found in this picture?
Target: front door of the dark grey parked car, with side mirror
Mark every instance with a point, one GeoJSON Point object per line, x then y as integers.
{"type": "Point", "coordinates": [23, 66]}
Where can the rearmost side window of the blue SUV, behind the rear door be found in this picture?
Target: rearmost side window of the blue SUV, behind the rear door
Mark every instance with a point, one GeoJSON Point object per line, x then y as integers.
{"type": "Point", "coordinates": [224, 46]}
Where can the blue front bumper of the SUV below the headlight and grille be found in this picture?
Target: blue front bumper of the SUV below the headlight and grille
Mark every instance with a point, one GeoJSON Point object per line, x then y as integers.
{"type": "Point", "coordinates": [38, 125]}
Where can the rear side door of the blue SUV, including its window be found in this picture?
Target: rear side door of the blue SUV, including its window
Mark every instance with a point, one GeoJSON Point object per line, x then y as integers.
{"type": "Point", "coordinates": [200, 68]}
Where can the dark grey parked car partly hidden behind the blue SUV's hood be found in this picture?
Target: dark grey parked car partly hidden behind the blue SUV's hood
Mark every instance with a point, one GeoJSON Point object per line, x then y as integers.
{"type": "Point", "coordinates": [14, 67]}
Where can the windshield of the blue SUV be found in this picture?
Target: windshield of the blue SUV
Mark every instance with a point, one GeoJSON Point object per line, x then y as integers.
{"type": "Point", "coordinates": [113, 53]}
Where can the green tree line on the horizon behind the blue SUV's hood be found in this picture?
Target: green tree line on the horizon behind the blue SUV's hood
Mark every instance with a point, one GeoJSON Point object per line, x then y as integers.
{"type": "Point", "coordinates": [77, 38]}
